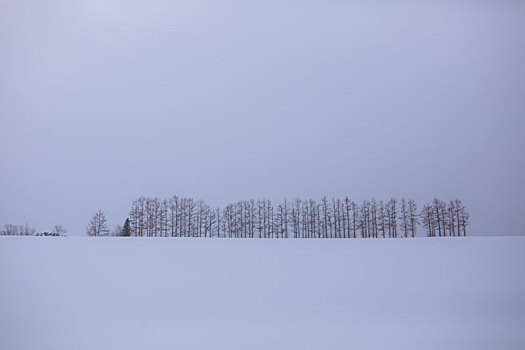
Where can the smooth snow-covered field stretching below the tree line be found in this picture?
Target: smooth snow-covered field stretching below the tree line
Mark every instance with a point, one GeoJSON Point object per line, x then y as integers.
{"type": "Point", "coordinates": [121, 293]}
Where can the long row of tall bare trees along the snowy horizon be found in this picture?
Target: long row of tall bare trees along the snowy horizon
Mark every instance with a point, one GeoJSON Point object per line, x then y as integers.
{"type": "Point", "coordinates": [334, 218]}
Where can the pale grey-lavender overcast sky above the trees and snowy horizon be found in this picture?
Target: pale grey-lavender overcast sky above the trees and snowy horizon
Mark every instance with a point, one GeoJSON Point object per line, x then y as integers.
{"type": "Point", "coordinates": [102, 101]}
